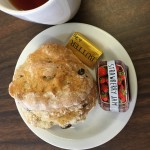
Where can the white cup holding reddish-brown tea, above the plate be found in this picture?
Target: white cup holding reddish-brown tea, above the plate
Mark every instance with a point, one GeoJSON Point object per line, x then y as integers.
{"type": "Point", "coordinates": [51, 13]}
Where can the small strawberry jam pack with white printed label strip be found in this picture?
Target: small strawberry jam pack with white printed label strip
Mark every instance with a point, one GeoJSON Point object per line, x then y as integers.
{"type": "Point", "coordinates": [113, 88]}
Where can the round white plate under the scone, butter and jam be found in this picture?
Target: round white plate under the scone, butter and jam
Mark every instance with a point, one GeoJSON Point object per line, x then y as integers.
{"type": "Point", "coordinates": [100, 126]}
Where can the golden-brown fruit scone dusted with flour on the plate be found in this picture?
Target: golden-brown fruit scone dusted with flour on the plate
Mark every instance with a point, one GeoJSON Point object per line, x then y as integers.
{"type": "Point", "coordinates": [53, 87]}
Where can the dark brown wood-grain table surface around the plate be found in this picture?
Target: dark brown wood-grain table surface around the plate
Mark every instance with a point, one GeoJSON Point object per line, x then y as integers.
{"type": "Point", "coordinates": [129, 22]}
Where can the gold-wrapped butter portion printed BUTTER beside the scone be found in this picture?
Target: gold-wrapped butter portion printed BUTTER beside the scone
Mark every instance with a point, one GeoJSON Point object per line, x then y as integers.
{"type": "Point", "coordinates": [84, 49]}
